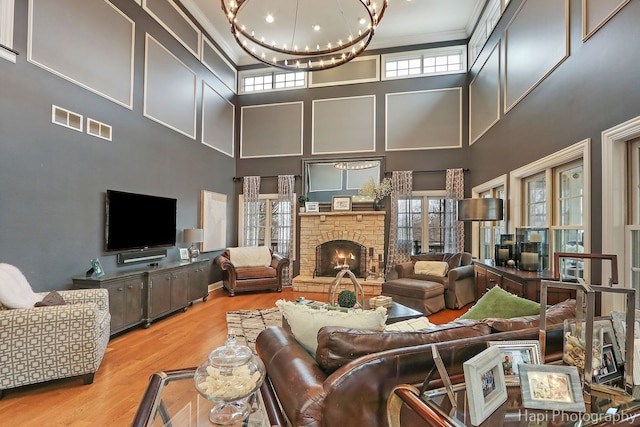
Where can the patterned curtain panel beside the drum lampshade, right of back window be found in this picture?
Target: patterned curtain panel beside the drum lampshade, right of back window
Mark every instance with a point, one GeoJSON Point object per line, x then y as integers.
{"type": "Point", "coordinates": [454, 229]}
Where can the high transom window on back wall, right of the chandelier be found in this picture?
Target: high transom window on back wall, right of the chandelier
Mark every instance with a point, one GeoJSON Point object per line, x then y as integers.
{"type": "Point", "coordinates": [427, 62]}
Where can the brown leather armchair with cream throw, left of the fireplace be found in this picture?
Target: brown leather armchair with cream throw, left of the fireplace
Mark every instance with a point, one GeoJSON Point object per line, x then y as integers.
{"type": "Point", "coordinates": [251, 277]}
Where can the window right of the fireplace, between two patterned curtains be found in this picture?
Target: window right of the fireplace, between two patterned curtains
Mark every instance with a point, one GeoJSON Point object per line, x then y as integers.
{"type": "Point", "coordinates": [424, 223]}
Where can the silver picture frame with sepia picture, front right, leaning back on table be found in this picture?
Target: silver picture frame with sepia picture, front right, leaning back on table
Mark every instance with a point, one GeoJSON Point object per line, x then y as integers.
{"type": "Point", "coordinates": [546, 386]}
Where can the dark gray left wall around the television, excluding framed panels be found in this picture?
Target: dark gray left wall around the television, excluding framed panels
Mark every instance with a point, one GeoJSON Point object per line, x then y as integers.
{"type": "Point", "coordinates": [53, 179]}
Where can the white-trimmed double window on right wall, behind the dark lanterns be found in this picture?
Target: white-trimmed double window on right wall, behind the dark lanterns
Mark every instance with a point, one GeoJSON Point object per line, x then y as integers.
{"type": "Point", "coordinates": [551, 193]}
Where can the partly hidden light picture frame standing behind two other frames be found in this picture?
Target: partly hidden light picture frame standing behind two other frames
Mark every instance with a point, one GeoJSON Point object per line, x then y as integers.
{"type": "Point", "coordinates": [516, 353]}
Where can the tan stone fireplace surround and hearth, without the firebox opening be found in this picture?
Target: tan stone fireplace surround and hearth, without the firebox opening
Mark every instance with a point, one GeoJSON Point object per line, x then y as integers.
{"type": "Point", "coordinates": [363, 227]}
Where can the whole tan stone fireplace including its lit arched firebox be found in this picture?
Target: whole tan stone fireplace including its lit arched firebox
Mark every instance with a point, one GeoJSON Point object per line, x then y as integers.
{"type": "Point", "coordinates": [330, 240]}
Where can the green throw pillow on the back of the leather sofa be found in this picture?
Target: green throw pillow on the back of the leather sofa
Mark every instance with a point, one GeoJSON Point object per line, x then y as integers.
{"type": "Point", "coordinates": [500, 303]}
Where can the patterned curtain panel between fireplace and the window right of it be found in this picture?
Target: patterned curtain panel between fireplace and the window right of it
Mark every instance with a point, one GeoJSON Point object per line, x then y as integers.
{"type": "Point", "coordinates": [401, 223]}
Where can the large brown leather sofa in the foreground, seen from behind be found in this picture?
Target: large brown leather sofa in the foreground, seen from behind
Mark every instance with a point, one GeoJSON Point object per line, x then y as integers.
{"type": "Point", "coordinates": [343, 385]}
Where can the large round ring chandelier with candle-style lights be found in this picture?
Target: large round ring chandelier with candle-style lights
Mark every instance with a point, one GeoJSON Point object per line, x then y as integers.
{"type": "Point", "coordinates": [299, 35]}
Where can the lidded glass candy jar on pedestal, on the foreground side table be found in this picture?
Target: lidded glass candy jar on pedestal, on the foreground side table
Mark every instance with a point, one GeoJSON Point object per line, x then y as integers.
{"type": "Point", "coordinates": [229, 376]}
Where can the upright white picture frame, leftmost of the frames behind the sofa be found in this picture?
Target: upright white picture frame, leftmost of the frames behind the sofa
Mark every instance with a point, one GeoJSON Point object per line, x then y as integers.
{"type": "Point", "coordinates": [486, 387]}
